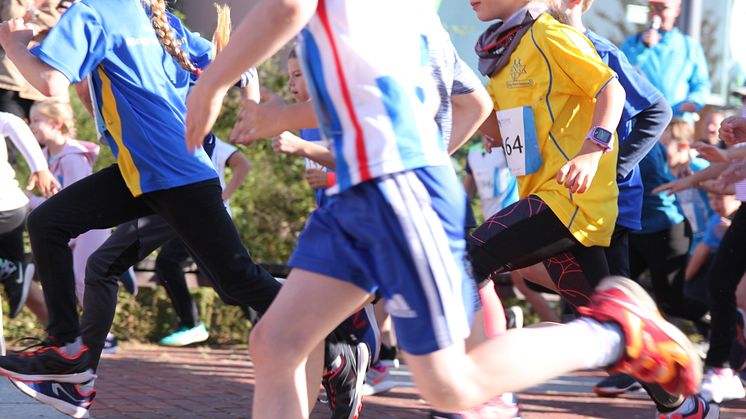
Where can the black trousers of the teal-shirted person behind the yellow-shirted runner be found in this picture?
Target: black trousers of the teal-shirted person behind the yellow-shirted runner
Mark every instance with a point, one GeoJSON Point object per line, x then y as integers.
{"type": "Point", "coordinates": [665, 254]}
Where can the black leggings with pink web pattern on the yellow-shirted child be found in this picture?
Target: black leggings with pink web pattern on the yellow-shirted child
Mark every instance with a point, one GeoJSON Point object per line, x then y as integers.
{"type": "Point", "coordinates": [528, 232]}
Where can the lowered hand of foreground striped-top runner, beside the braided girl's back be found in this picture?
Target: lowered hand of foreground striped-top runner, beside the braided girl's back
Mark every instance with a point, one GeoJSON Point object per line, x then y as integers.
{"type": "Point", "coordinates": [203, 107]}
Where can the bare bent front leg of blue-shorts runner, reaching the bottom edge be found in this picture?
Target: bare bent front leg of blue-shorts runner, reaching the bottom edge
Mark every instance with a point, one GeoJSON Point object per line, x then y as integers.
{"type": "Point", "coordinates": [281, 348]}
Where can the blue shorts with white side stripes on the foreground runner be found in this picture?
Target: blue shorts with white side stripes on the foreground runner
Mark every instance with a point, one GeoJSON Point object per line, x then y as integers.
{"type": "Point", "coordinates": [403, 235]}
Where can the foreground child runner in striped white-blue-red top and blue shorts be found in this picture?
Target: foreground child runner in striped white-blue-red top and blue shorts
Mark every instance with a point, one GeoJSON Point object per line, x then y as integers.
{"type": "Point", "coordinates": [398, 220]}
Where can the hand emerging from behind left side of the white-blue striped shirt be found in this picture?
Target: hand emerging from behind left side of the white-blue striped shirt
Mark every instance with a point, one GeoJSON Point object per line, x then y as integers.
{"type": "Point", "coordinates": [257, 121]}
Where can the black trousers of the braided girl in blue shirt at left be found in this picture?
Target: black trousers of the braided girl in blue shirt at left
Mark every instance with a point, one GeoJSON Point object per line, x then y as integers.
{"type": "Point", "coordinates": [102, 200]}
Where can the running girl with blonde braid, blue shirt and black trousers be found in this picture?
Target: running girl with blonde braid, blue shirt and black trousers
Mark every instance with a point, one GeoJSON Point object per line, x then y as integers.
{"type": "Point", "coordinates": [139, 93]}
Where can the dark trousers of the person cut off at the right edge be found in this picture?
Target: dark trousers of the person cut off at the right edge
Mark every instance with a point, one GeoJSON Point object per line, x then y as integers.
{"type": "Point", "coordinates": [725, 273]}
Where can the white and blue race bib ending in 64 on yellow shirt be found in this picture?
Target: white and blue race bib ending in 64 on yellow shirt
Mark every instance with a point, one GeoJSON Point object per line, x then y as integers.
{"type": "Point", "coordinates": [520, 142]}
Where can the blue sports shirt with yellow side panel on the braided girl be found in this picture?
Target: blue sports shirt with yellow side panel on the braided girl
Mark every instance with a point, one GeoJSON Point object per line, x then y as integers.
{"type": "Point", "coordinates": [139, 91]}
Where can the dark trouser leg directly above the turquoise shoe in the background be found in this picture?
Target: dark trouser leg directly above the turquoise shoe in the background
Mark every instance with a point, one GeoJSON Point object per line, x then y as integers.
{"type": "Point", "coordinates": [172, 259]}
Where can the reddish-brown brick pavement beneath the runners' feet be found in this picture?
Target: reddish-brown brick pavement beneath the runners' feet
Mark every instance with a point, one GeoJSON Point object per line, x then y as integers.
{"type": "Point", "coordinates": [146, 381]}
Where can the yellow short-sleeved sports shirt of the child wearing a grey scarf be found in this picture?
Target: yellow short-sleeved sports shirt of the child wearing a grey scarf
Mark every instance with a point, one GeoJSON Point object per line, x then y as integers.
{"type": "Point", "coordinates": [556, 71]}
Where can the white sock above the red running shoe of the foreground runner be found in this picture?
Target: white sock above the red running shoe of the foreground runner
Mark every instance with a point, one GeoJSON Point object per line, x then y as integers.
{"type": "Point", "coordinates": [604, 342]}
